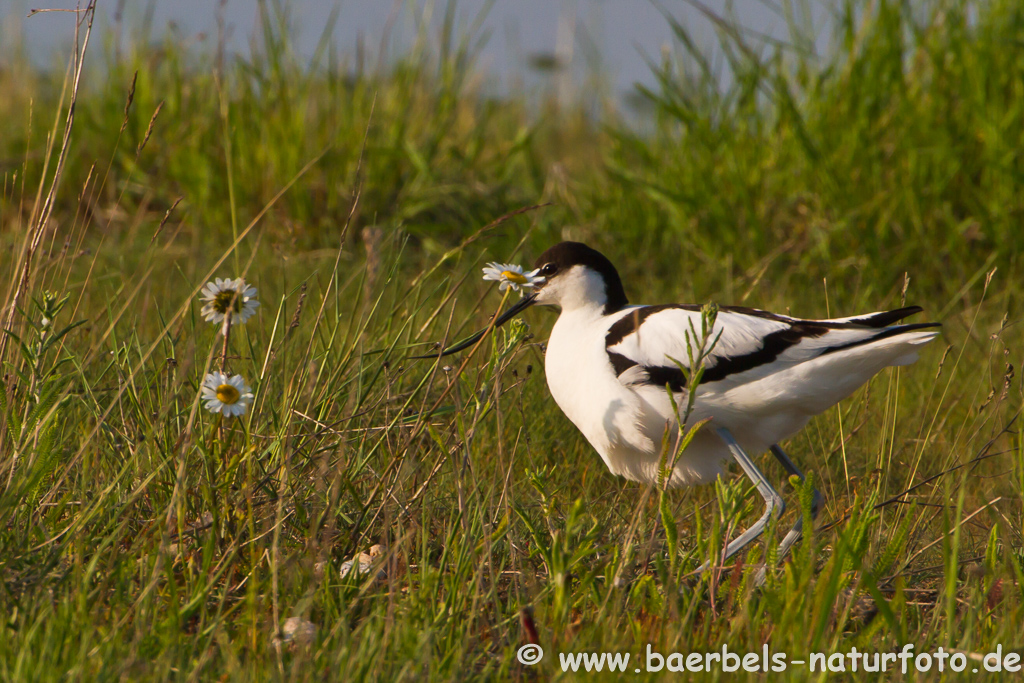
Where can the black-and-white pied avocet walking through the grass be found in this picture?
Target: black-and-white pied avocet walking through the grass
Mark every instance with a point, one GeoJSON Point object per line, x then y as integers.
{"type": "Point", "coordinates": [611, 367]}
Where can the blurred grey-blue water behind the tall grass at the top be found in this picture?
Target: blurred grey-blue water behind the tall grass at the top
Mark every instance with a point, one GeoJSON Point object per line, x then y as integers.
{"type": "Point", "coordinates": [566, 49]}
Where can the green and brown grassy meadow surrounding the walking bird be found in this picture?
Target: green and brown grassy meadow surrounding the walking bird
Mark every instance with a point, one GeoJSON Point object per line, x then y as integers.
{"type": "Point", "coordinates": [146, 538]}
